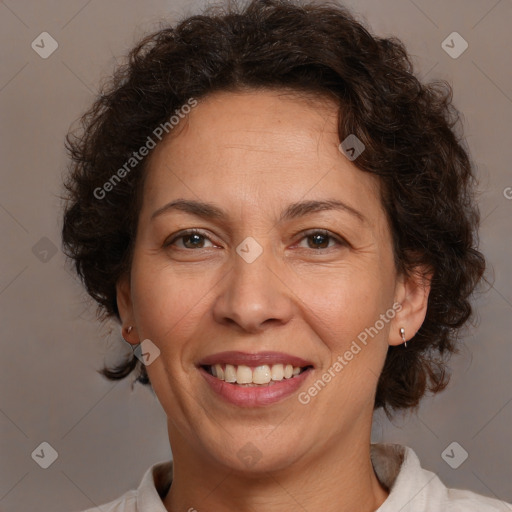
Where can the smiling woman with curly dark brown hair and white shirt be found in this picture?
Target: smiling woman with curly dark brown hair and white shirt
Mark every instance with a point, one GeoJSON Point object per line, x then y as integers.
{"type": "Point", "coordinates": [281, 217]}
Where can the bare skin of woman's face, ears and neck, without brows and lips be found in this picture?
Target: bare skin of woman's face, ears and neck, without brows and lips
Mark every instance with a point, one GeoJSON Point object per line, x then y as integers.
{"type": "Point", "coordinates": [252, 153]}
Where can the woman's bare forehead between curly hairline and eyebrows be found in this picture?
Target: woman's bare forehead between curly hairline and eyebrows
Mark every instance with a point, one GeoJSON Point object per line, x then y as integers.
{"type": "Point", "coordinates": [259, 148]}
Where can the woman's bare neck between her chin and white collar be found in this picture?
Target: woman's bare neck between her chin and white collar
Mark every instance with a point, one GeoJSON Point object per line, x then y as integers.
{"type": "Point", "coordinates": [338, 479]}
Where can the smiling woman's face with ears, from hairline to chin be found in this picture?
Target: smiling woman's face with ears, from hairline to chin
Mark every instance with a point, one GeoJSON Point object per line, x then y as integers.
{"type": "Point", "coordinates": [259, 276]}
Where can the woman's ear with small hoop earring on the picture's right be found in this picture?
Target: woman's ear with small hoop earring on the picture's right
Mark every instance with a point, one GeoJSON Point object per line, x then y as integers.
{"type": "Point", "coordinates": [412, 293]}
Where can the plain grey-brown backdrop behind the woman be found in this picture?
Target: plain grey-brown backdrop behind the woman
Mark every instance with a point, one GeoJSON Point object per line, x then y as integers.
{"type": "Point", "coordinates": [107, 434]}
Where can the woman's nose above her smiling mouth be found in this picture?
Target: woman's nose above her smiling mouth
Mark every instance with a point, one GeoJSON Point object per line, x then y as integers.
{"type": "Point", "coordinates": [254, 295]}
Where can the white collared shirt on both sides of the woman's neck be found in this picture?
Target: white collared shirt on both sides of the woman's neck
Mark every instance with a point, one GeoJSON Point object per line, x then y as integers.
{"type": "Point", "coordinates": [411, 488]}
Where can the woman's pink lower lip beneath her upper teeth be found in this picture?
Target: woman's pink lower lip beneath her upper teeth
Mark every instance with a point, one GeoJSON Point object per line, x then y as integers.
{"type": "Point", "coordinates": [255, 396]}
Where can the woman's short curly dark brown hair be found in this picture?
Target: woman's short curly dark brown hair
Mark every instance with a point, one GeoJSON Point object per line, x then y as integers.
{"type": "Point", "coordinates": [410, 130]}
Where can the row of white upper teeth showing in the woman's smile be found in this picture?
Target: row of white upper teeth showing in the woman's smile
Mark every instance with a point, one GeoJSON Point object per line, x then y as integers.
{"type": "Point", "coordinates": [264, 375]}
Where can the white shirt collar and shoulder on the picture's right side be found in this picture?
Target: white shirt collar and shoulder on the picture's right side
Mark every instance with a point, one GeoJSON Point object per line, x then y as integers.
{"type": "Point", "coordinates": [415, 489]}
